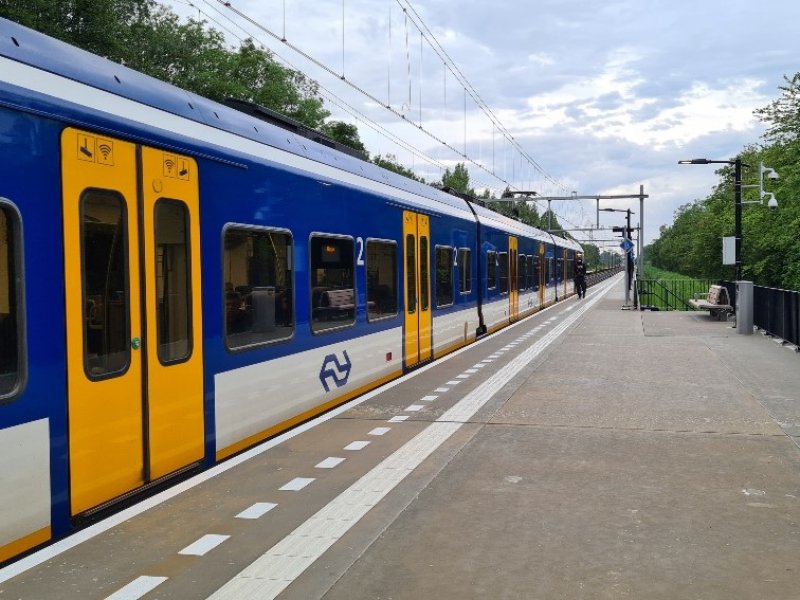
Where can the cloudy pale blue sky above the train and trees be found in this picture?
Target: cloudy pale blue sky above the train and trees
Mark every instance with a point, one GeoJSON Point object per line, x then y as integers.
{"type": "Point", "coordinates": [599, 97]}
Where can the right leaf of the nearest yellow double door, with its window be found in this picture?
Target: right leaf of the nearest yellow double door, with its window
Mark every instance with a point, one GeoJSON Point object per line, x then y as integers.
{"type": "Point", "coordinates": [174, 325]}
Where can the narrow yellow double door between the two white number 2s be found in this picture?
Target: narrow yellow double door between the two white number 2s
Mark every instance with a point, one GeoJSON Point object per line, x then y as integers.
{"type": "Point", "coordinates": [416, 250]}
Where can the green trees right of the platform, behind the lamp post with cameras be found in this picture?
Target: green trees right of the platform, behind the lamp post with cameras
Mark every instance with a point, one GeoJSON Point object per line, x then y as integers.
{"type": "Point", "coordinates": [692, 245]}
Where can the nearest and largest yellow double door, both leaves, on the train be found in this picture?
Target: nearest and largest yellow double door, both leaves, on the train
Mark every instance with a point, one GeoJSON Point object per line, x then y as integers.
{"type": "Point", "coordinates": [133, 314]}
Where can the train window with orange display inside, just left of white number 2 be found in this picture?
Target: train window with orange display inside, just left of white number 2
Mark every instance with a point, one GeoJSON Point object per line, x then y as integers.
{"type": "Point", "coordinates": [333, 293]}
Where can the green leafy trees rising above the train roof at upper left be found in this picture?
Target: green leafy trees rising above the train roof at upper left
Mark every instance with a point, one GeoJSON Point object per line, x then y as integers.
{"type": "Point", "coordinates": [150, 38]}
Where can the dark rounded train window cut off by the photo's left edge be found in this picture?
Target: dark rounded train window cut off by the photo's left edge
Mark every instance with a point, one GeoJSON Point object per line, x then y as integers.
{"type": "Point", "coordinates": [12, 368]}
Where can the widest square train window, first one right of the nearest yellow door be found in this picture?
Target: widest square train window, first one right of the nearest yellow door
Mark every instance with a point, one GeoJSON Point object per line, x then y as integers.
{"type": "Point", "coordinates": [258, 278]}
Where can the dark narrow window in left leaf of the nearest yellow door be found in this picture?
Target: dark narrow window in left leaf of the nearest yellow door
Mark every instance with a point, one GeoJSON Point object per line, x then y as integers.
{"type": "Point", "coordinates": [106, 303]}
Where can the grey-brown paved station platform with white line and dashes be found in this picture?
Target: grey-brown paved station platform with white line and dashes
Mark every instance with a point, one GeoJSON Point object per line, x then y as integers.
{"type": "Point", "coordinates": [586, 452]}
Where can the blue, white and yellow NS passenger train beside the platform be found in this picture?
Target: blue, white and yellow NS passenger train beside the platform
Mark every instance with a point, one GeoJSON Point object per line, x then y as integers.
{"type": "Point", "coordinates": [180, 280]}
